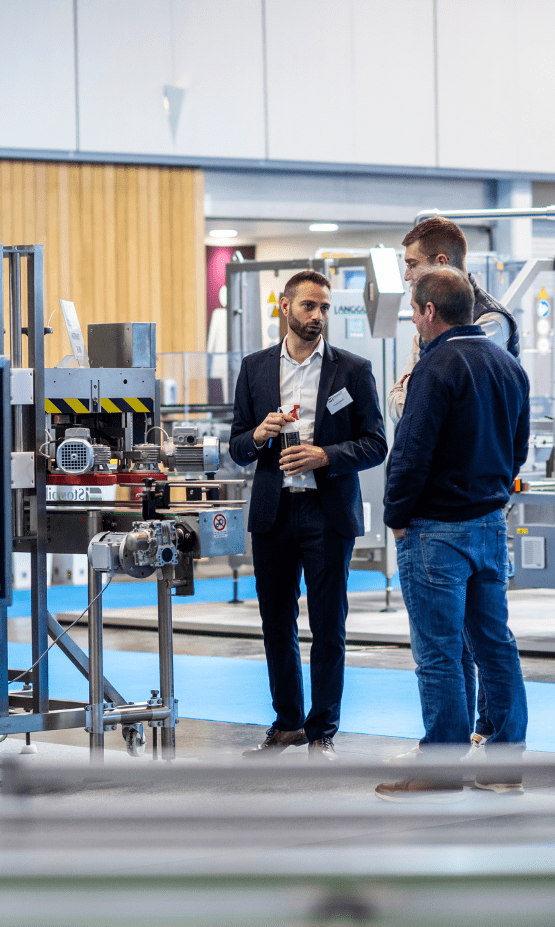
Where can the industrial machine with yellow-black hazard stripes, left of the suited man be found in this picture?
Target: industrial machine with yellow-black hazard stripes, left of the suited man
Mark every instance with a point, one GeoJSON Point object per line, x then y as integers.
{"type": "Point", "coordinates": [92, 471]}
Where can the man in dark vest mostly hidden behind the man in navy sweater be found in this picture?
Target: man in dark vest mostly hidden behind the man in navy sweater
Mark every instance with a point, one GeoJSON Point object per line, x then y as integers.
{"type": "Point", "coordinates": [438, 242]}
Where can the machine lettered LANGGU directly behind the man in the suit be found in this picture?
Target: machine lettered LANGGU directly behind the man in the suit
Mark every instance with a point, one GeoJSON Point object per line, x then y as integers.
{"type": "Point", "coordinates": [367, 290]}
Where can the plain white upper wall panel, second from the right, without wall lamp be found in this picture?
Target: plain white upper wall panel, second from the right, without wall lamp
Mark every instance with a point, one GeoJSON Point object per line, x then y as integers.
{"type": "Point", "coordinates": [351, 81]}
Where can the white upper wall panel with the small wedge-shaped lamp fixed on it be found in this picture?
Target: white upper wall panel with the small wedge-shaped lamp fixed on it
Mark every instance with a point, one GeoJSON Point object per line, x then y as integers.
{"type": "Point", "coordinates": [129, 49]}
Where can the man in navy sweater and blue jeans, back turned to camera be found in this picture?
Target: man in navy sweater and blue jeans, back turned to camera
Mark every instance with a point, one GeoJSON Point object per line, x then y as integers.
{"type": "Point", "coordinates": [461, 442]}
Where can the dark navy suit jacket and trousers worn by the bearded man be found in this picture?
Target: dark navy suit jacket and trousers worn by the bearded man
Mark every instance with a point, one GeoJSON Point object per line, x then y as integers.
{"type": "Point", "coordinates": [315, 529]}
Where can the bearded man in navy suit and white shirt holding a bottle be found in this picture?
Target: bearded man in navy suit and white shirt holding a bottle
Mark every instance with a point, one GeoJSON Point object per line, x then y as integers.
{"type": "Point", "coordinates": [306, 508]}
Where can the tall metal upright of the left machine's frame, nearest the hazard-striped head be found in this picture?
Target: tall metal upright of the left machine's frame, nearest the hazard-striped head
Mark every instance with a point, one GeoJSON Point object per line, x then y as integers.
{"type": "Point", "coordinates": [34, 427]}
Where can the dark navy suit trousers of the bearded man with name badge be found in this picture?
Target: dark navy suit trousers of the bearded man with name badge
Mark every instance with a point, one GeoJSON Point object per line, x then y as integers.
{"type": "Point", "coordinates": [302, 538]}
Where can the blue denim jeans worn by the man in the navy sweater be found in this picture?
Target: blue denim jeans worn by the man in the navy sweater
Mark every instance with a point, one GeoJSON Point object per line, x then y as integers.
{"type": "Point", "coordinates": [454, 578]}
